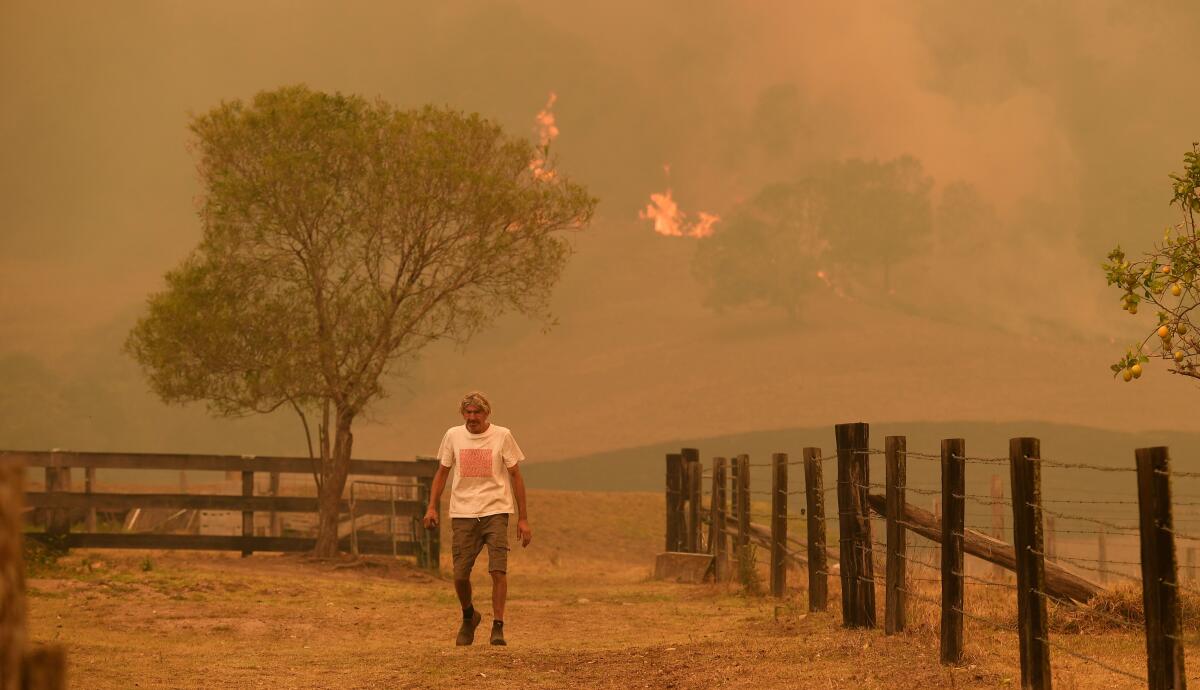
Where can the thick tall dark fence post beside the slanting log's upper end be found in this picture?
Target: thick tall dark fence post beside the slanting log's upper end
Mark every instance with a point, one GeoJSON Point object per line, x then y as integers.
{"type": "Point", "coordinates": [855, 524]}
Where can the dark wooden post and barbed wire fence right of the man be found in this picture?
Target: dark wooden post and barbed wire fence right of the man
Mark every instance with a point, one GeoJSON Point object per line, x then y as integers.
{"type": "Point", "coordinates": [1039, 580]}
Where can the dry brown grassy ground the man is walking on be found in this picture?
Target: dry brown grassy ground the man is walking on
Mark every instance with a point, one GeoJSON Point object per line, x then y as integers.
{"type": "Point", "coordinates": [583, 614]}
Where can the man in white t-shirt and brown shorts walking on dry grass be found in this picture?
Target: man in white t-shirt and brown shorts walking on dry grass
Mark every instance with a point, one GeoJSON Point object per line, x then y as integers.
{"type": "Point", "coordinates": [484, 460]}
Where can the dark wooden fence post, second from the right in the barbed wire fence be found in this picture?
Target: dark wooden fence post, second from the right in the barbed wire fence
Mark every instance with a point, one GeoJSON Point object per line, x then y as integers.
{"type": "Point", "coordinates": [1024, 458]}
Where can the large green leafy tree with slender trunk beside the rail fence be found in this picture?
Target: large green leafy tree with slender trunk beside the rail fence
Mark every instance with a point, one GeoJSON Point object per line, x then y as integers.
{"type": "Point", "coordinates": [340, 237]}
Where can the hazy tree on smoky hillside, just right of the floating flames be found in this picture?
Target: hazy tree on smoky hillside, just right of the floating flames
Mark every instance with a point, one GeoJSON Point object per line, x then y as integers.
{"type": "Point", "coordinates": [769, 250]}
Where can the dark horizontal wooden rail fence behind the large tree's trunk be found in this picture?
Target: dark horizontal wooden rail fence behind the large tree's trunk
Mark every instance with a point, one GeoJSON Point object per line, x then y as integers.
{"type": "Point", "coordinates": [59, 503]}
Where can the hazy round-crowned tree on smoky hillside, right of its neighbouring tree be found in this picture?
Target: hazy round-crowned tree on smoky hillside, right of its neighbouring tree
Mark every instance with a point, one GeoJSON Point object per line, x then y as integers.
{"type": "Point", "coordinates": [879, 213]}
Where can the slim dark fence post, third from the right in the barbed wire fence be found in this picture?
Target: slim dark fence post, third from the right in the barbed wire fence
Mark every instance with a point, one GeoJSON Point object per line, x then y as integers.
{"type": "Point", "coordinates": [953, 525]}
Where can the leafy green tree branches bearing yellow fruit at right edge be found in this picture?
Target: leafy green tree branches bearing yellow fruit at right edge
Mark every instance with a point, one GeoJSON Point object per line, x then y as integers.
{"type": "Point", "coordinates": [1169, 279]}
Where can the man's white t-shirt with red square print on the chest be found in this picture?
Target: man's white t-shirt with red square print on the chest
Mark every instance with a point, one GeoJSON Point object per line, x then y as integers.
{"type": "Point", "coordinates": [481, 483]}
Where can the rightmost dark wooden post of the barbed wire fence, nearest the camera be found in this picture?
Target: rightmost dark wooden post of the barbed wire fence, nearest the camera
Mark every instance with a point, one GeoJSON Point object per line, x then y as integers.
{"type": "Point", "coordinates": [1160, 575]}
